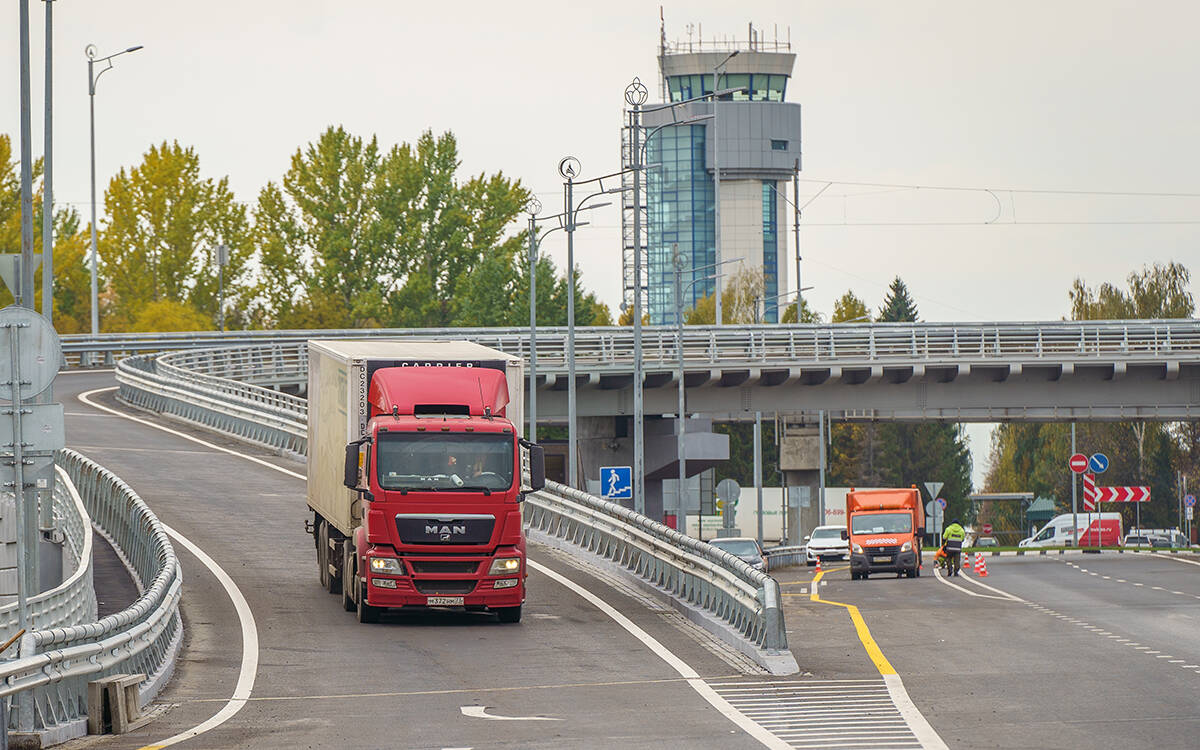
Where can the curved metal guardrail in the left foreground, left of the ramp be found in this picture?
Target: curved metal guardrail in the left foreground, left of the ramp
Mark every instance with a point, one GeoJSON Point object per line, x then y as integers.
{"type": "Point", "coordinates": [56, 664]}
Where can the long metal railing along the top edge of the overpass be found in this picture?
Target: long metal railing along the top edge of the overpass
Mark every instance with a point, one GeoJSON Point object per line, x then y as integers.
{"type": "Point", "coordinates": [848, 344]}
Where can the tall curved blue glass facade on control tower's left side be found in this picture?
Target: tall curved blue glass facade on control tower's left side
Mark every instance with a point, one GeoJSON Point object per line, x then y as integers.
{"type": "Point", "coordinates": [680, 212]}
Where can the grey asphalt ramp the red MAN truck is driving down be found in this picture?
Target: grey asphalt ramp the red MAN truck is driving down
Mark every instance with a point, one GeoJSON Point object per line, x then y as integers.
{"type": "Point", "coordinates": [325, 681]}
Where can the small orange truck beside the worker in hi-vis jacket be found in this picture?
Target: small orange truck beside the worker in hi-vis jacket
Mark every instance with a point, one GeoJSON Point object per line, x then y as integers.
{"type": "Point", "coordinates": [885, 529]}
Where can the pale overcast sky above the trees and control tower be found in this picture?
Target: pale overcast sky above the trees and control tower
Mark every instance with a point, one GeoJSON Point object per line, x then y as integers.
{"type": "Point", "coordinates": [1067, 130]}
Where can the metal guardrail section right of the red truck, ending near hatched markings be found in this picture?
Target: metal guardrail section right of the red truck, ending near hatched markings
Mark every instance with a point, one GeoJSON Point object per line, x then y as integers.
{"type": "Point", "coordinates": [687, 568]}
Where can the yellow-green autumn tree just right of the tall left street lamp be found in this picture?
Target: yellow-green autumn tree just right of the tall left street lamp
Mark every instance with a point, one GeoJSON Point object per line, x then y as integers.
{"type": "Point", "coordinates": [165, 224]}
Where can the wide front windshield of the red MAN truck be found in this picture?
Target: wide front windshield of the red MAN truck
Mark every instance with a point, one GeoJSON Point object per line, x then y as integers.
{"type": "Point", "coordinates": [445, 463]}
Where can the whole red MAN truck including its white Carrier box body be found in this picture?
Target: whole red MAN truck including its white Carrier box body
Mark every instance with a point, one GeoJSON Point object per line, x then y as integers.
{"type": "Point", "coordinates": [416, 476]}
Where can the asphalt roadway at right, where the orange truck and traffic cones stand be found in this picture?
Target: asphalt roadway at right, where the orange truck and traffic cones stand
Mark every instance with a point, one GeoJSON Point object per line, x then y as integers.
{"type": "Point", "coordinates": [1101, 651]}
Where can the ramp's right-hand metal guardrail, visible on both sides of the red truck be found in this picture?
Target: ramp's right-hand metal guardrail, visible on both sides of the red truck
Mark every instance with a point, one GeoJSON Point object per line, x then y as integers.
{"type": "Point", "coordinates": [689, 569]}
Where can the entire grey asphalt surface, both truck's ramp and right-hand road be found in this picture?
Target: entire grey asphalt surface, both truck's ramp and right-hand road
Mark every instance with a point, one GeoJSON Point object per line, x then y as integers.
{"type": "Point", "coordinates": [1064, 652]}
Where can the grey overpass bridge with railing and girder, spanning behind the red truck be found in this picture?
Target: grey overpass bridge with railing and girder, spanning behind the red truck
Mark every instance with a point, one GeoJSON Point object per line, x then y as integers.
{"type": "Point", "coordinates": [1048, 371]}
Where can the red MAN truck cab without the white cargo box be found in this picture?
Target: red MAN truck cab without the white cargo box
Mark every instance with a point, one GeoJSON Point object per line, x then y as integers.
{"type": "Point", "coordinates": [440, 475]}
